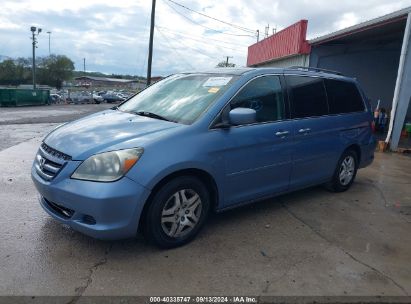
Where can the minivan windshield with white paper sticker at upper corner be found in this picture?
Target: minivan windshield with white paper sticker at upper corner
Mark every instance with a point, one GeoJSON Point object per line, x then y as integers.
{"type": "Point", "coordinates": [180, 98]}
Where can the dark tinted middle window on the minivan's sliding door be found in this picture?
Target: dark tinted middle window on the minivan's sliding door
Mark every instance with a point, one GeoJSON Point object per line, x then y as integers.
{"type": "Point", "coordinates": [308, 96]}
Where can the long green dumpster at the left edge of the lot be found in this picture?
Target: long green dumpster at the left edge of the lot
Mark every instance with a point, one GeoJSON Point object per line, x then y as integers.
{"type": "Point", "coordinates": [23, 97]}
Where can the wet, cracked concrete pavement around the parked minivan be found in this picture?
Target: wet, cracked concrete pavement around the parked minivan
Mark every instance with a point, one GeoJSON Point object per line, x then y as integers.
{"type": "Point", "coordinates": [307, 243]}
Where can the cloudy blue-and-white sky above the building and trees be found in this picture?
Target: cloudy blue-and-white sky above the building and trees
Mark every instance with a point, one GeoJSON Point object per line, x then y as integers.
{"type": "Point", "coordinates": [113, 35]}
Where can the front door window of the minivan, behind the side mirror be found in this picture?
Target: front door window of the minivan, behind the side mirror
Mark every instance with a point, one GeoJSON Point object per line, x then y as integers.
{"type": "Point", "coordinates": [265, 96]}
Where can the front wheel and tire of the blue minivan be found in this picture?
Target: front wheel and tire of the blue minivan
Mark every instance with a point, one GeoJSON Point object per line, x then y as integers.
{"type": "Point", "coordinates": [177, 212]}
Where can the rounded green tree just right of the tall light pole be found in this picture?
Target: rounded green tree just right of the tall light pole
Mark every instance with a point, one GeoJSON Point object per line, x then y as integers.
{"type": "Point", "coordinates": [54, 69]}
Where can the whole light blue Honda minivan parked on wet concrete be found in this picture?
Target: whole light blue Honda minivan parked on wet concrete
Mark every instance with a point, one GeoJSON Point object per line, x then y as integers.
{"type": "Point", "coordinates": [200, 142]}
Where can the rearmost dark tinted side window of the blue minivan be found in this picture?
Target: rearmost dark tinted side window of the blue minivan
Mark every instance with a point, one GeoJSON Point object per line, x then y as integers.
{"type": "Point", "coordinates": [343, 97]}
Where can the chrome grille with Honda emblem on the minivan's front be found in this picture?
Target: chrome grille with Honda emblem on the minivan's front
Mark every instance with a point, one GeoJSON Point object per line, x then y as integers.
{"type": "Point", "coordinates": [49, 162]}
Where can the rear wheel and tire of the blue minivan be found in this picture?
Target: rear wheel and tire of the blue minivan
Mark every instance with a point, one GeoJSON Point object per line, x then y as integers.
{"type": "Point", "coordinates": [345, 172]}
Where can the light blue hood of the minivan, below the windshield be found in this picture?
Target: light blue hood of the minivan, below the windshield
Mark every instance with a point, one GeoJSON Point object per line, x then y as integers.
{"type": "Point", "coordinates": [105, 131]}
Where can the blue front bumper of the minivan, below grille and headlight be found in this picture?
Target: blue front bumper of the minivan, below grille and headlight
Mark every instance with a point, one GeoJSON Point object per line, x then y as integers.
{"type": "Point", "coordinates": [101, 210]}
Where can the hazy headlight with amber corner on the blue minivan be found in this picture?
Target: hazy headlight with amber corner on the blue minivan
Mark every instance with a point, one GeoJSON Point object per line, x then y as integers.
{"type": "Point", "coordinates": [108, 166]}
